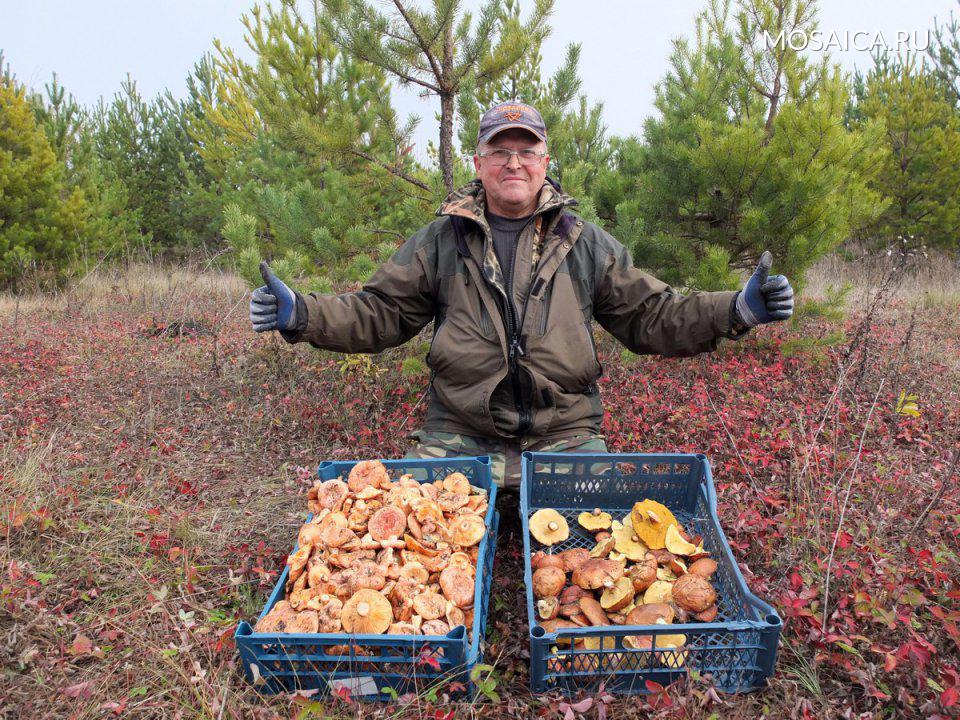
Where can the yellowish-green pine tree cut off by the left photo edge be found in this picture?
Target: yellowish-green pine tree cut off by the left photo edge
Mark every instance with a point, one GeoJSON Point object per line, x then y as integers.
{"type": "Point", "coordinates": [40, 220]}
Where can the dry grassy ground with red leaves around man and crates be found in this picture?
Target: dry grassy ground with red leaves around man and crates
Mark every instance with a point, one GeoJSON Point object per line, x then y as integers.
{"type": "Point", "coordinates": [153, 453]}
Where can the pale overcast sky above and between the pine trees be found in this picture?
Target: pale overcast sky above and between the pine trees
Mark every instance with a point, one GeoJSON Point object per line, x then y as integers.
{"type": "Point", "coordinates": [93, 44]}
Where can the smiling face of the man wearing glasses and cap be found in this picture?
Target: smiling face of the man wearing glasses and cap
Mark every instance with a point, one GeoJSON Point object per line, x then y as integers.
{"type": "Point", "coordinates": [512, 189]}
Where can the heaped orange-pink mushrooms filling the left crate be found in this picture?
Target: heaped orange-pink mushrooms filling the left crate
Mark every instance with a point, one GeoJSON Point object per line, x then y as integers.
{"type": "Point", "coordinates": [384, 556]}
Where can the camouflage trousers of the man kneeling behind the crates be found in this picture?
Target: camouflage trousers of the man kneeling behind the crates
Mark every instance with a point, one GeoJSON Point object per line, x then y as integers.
{"type": "Point", "coordinates": [504, 454]}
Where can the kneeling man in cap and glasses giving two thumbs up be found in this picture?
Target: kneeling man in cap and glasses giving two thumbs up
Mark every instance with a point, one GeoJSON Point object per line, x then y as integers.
{"type": "Point", "coordinates": [513, 280]}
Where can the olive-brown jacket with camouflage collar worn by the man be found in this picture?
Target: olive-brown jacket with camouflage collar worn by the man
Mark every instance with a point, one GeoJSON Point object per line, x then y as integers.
{"type": "Point", "coordinates": [514, 362]}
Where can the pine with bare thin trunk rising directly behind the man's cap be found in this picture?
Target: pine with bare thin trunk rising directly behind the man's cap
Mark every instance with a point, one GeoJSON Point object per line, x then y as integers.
{"type": "Point", "coordinates": [438, 51]}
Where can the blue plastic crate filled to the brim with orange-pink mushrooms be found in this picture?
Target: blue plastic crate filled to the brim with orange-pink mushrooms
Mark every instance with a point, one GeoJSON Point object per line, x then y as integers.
{"type": "Point", "coordinates": [284, 662]}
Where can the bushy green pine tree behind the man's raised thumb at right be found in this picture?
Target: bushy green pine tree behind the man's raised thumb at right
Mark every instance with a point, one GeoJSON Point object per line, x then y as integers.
{"type": "Point", "coordinates": [750, 153]}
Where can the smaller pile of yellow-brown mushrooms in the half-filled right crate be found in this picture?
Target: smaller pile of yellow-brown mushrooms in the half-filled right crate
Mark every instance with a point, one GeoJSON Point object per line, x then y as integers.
{"type": "Point", "coordinates": [644, 569]}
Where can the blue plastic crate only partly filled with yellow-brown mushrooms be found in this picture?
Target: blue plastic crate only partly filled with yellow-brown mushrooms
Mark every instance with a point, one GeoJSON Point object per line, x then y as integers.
{"type": "Point", "coordinates": [739, 649]}
